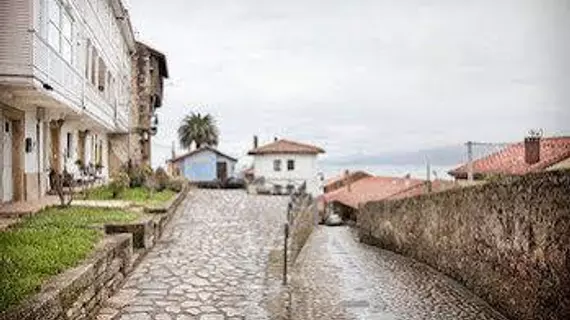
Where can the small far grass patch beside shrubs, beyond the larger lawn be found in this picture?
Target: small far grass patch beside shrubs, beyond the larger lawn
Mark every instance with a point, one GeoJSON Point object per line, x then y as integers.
{"type": "Point", "coordinates": [141, 196]}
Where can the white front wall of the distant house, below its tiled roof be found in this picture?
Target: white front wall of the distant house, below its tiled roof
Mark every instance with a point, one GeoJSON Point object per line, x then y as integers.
{"type": "Point", "coordinates": [305, 170]}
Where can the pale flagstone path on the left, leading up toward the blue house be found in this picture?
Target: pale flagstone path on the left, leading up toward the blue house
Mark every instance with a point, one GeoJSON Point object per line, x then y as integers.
{"type": "Point", "coordinates": [211, 263]}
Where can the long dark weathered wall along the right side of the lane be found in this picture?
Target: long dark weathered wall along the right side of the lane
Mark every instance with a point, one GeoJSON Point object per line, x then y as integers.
{"type": "Point", "coordinates": [507, 241]}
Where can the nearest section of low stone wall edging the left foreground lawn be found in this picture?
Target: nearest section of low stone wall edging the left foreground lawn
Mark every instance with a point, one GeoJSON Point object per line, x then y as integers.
{"type": "Point", "coordinates": [77, 293]}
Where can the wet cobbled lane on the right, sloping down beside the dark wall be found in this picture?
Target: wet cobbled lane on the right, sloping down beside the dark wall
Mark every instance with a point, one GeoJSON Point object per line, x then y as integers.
{"type": "Point", "coordinates": [337, 277]}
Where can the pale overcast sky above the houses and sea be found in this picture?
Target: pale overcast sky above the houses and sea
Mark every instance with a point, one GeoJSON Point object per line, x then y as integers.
{"type": "Point", "coordinates": [362, 76]}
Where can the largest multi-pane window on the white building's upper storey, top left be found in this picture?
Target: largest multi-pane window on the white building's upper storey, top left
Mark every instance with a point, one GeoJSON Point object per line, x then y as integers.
{"type": "Point", "coordinates": [60, 30]}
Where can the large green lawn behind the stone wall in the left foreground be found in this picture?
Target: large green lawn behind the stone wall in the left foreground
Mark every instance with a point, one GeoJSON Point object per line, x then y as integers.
{"type": "Point", "coordinates": [47, 244]}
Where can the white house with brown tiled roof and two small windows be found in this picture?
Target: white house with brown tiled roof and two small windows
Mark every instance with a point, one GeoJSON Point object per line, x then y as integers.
{"type": "Point", "coordinates": [285, 164]}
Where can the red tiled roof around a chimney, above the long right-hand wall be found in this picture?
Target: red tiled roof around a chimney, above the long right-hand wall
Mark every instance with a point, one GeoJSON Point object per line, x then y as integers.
{"type": "Point", "coordinates": [511, 159]}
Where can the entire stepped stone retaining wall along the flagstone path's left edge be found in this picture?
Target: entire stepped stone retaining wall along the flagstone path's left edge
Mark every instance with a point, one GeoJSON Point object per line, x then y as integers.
{"type": "Point", "coordinates": [78, 293]}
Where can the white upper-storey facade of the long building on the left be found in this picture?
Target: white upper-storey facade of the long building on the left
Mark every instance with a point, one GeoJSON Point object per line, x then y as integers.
{"type": "Point", "coordinates": [24, 27]}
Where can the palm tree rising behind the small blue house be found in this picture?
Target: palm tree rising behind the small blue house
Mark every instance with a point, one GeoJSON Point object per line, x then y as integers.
{"type": "Point", "coordinates": [202, 130]}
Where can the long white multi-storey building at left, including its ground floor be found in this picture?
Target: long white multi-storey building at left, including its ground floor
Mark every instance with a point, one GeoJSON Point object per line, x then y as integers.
{"type": "Point", "coordinates": [65, 88]}
